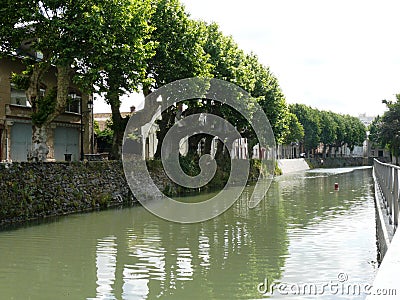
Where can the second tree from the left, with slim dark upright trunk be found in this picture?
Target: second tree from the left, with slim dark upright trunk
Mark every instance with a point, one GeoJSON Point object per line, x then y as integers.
{"type": "Point", "coordinates": [119, 67]}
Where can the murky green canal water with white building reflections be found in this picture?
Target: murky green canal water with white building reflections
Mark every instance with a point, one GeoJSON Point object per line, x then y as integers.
{"type": "Point", "coordinates": [303, 233]}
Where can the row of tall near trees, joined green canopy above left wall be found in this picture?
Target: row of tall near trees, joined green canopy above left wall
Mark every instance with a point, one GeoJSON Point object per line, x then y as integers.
{"type": "Point", "coordinates": [116, 47]}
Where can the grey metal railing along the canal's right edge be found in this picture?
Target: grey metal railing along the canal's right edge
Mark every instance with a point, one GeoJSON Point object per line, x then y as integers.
{"type": "Point", "coordinates": [387, 177]}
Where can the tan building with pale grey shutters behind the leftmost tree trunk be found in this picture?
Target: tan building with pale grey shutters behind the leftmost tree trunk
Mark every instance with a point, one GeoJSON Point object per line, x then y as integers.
{"type": "Point", "coordinates": [68, 135]}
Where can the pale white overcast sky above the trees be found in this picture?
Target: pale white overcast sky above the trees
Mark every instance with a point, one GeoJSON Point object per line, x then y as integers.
{"type": "Point", "coordinates": [342, 56]}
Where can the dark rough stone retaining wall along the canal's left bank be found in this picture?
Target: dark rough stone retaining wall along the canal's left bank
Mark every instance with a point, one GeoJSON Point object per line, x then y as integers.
{"type": "Point", "coordinates": [31, 191]}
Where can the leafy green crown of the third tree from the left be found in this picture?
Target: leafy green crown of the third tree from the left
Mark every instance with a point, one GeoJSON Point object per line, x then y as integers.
{"type": "Point", "coordinates": [179, 41]}
